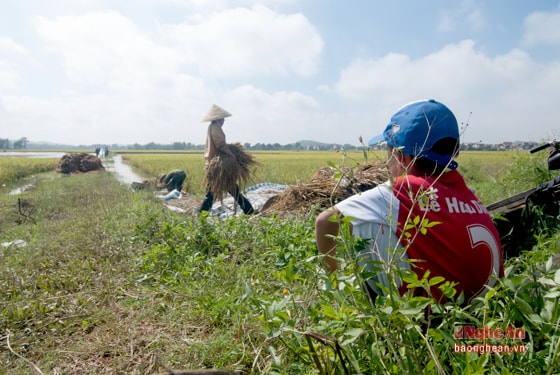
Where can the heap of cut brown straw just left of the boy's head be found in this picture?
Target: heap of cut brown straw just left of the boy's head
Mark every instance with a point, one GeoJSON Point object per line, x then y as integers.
{"type": "Point", "coordinates": [323, 189]}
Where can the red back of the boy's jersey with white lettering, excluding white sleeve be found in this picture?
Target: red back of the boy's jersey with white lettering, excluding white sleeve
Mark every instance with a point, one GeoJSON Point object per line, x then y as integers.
{"type": "Point", "coordinates": [444, 225]}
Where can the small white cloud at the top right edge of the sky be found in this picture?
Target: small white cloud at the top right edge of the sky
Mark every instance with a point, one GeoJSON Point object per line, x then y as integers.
{"type": "Point", "coordinates": [542, 28]}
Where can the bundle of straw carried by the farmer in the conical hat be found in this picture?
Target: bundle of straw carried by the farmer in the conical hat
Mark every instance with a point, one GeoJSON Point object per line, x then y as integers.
{"type": "Point", "coordinates": [223, 173]}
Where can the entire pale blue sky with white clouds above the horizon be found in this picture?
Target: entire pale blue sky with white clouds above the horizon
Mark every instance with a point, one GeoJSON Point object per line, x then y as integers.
{"type": "Point", "coordinates": [139, 71]}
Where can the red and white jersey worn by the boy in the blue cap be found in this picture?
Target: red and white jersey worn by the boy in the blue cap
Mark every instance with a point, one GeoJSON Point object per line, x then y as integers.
{"type": "Point", "coordinates": [436, 221]}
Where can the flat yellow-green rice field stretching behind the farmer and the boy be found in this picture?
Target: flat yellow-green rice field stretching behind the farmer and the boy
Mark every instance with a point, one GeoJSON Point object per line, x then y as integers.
{"type": "Point", "coordinates": [482, 169]}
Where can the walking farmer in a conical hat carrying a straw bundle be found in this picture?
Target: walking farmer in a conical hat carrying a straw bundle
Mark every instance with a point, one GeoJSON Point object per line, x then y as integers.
{"type": "Point", "coordinates": [223, 168]}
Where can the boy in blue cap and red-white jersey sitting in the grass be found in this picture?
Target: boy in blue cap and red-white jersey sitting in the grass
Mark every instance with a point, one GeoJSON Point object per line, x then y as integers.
{"type": "Point", "coordinates": [425, 218]}
